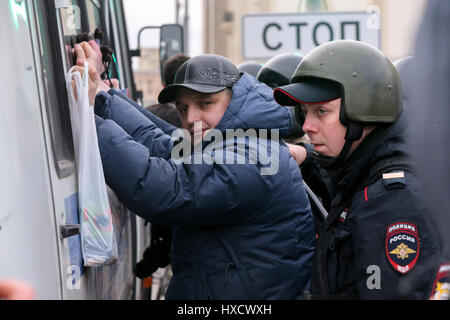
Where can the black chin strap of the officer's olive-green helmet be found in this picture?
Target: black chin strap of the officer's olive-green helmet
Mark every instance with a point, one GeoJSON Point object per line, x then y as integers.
{"type": "Point", "coordinates": [354, 133]}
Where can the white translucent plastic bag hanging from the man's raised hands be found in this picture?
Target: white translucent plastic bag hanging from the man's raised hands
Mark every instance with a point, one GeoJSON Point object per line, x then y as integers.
{"type": "Point", "coordinates": [98, 243]}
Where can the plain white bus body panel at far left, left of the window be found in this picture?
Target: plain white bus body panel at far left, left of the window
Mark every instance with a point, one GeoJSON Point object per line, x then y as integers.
{"type": "Point", "coordinates": [28, 249]}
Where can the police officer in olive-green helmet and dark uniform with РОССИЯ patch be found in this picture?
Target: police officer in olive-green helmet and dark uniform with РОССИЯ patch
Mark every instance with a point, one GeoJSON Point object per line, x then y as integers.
{"type": "Point", "coordinates": [377, 241]}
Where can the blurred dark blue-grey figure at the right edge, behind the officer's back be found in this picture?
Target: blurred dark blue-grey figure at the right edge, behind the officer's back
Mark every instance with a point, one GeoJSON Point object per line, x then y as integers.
{"type": "Point", "coordinates": [430, 128]}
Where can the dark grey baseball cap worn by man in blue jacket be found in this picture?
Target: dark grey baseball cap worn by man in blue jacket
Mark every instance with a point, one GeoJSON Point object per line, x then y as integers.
{"type": "Point", "coordinates": [206, 73]}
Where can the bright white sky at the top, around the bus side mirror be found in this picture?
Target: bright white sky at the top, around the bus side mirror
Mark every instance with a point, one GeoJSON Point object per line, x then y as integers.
{"type": "Point", "coordinates": [157, 12]}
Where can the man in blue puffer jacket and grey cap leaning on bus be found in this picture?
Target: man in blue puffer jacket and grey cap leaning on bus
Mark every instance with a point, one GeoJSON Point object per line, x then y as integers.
{"type": "Point", "coordinates": [243, 227]}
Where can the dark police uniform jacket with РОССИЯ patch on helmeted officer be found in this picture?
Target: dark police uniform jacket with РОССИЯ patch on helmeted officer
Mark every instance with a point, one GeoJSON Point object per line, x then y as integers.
{"type": "Point", "coordinates": [377, 242]}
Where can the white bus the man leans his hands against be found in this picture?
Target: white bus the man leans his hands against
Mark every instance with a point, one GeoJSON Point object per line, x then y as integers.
{"type": "Point", "coordinates": [39, 238]}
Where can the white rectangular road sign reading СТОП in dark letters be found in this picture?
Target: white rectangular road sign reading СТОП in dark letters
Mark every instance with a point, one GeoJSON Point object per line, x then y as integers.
{"type": "Point", "coordinates": [266, 35]}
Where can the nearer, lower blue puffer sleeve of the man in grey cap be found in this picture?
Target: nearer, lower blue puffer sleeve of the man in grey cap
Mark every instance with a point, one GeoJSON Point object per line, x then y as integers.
{"type": "Point", "coordinates": [167, 193]}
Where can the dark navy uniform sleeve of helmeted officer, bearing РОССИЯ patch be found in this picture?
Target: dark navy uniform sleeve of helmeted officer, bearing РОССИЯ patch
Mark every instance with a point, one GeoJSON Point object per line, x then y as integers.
{"type": "Point", "coordinates": [387, 220]}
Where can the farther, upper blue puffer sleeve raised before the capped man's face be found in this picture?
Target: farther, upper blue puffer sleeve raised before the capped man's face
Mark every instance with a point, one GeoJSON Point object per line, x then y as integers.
{"type": "Point", "coordinates": [139, 127]}
